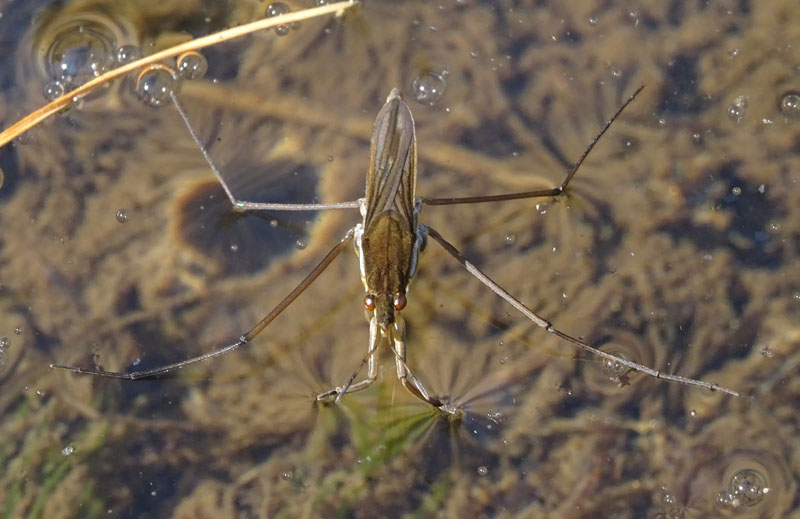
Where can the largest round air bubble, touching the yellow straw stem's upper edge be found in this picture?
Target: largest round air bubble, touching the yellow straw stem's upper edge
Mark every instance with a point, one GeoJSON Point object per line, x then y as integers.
{"type": "Point", "coordinates": [80, 53]}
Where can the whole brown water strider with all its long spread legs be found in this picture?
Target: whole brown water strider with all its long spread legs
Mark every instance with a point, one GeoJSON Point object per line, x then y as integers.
{"type": "Point", "coordinates": [388, 242]}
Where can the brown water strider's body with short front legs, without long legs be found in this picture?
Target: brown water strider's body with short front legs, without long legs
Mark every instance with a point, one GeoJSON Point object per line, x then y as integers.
{"type": "Point", "coordinates": [388, 240]}
